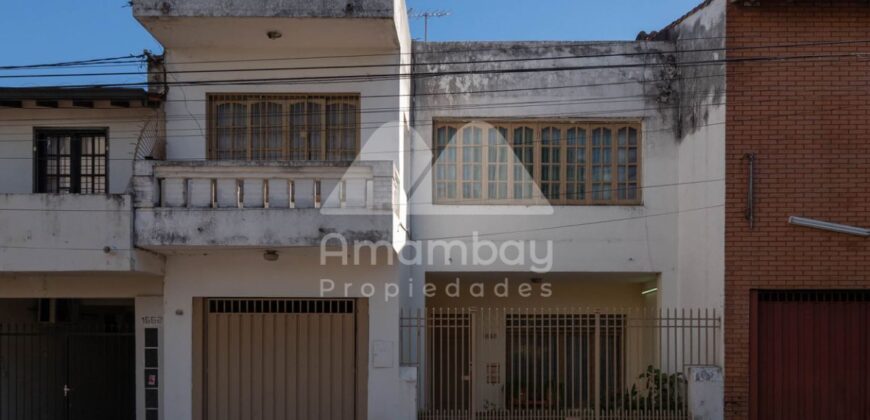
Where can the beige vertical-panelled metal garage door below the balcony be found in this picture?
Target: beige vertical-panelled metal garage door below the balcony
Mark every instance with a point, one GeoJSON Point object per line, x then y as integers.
{"type": "Point", "coordinates": [280, 359]}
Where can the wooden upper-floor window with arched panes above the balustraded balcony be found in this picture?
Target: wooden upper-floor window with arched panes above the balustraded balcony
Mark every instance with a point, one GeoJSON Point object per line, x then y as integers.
{"type": "Point", "coordinates": [283, 127]}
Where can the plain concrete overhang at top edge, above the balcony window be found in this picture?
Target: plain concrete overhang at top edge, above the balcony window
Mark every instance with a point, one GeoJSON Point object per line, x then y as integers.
{"type": "Point", "coordinates": [296, 23]}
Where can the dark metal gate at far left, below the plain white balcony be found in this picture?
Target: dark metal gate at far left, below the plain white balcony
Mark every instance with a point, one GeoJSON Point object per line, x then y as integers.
{"type": "Point", "coordinates": [74, 372]}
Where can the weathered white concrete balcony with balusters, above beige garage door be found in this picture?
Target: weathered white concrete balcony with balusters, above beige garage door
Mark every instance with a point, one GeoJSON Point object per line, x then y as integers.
{"type": "Point", "coordinates": [208, 204]}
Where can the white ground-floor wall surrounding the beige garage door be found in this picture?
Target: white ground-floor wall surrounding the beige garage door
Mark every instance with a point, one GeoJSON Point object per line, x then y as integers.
{"type": "Point", "coordinates": [297, 273]}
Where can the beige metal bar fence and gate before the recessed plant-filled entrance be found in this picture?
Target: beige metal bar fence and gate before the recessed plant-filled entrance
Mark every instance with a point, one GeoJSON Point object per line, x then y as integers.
{"type": "Point", "coordinates": [556, 363]}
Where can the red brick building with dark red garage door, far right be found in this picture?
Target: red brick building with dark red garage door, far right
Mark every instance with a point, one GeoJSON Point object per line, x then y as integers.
{"type": "Point", "coordinates": [806, 121]}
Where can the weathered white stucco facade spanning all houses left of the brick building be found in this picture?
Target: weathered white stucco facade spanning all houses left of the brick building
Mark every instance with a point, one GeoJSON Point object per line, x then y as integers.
{"type": "Point", "coordinates": [137, 243]}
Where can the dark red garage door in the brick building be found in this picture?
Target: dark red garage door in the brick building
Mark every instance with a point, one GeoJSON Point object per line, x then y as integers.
{"type": "Point", "coordinates": [810, 355]}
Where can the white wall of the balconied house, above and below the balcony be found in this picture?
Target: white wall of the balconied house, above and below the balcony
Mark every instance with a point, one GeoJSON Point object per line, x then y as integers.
{"type": "Point", "coordinates": [297, 273]}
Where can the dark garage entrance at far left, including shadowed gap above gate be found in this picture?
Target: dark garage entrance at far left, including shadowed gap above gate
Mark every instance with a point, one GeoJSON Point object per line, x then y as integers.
{"type": "Point", "coordinates": [67, 359]}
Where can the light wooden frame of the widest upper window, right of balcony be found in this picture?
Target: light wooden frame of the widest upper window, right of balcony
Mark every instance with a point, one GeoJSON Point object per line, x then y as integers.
{"type": "Point", "coordinates": [537, 126]}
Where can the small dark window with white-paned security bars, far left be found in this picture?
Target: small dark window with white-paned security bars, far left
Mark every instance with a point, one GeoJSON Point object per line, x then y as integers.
{"type": "Point", "coordinates": [71, 161]}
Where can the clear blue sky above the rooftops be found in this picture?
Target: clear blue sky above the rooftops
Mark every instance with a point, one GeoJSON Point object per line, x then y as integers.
{"type": "Point", "coordinates": [62, 30]}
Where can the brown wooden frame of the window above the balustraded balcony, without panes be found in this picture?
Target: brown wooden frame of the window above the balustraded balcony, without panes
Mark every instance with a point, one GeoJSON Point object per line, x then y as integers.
{"type": "Point", "coordinates": [288, 152]}
